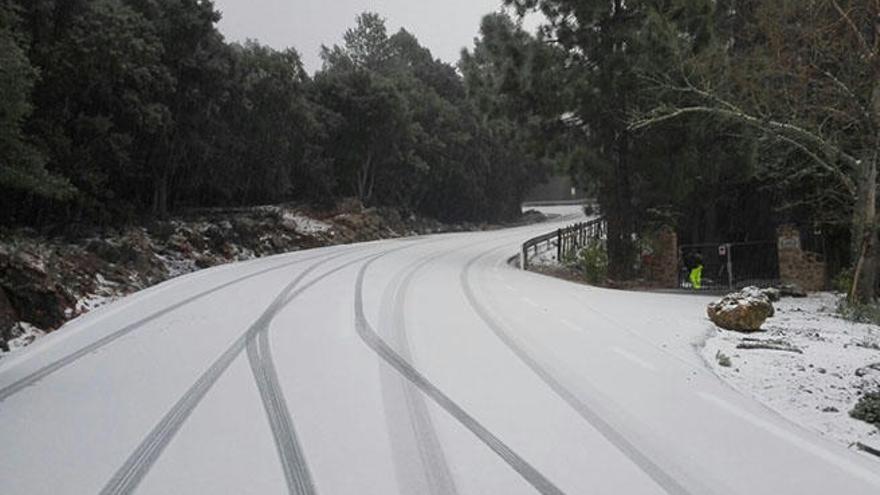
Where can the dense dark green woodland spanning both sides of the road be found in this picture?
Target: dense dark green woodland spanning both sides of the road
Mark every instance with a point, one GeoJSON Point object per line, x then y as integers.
{"type": "Point", "coordinates": [723, 118]}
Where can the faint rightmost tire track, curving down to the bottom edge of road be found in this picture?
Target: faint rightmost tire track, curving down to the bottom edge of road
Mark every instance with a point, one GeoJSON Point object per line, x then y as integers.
{"type": "Point", "coordinates": [647, 465]}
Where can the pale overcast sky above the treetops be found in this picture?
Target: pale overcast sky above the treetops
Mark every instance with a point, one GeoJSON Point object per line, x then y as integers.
{"type": "Point", "coordinates": [443, 26]}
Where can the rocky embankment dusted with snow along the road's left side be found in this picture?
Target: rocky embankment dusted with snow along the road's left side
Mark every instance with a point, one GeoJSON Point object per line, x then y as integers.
{"type": "Point", "coordinates": [46, 281]}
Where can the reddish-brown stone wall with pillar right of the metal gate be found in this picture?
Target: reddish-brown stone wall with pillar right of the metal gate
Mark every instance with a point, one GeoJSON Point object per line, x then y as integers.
{"type": "Point", "coordinates": [797, 266]}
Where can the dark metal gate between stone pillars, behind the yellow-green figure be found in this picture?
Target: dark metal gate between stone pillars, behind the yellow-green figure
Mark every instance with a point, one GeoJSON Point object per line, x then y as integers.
{"type": "Point", "coordinates": [731, 265]}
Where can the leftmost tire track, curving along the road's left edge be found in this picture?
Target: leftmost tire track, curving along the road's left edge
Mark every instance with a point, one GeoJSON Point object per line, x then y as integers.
{"type": "Point", "coordinates": [46, 370]}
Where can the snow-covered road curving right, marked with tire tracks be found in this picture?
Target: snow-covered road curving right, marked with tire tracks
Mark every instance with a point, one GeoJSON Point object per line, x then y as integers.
{"type": "Point", "coordinates": [414, 366]}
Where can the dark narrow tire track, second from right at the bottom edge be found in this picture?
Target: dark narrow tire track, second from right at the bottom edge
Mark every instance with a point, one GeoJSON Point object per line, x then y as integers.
{"type": "Point", "coordinates": [379, 346]}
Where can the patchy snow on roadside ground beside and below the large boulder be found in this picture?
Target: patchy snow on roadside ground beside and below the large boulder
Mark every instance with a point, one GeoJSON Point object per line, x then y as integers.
{"type": "Point", "coordinates": [816, 387]}
